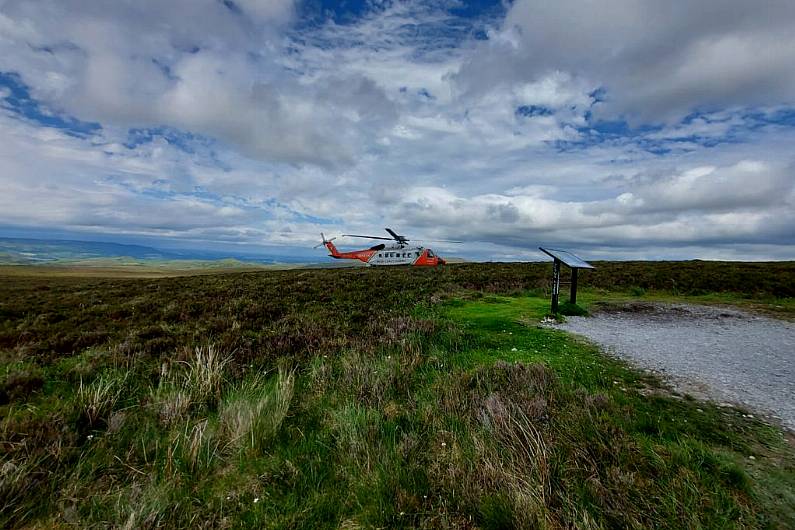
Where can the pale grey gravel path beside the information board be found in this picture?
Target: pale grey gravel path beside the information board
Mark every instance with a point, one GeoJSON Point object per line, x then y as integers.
{"type": "Point", "coordinates": [718, 353]}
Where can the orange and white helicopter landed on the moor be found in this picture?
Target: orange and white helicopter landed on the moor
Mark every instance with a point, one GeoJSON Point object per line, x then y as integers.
{"type": "Point", "coordinates": [397, 253]}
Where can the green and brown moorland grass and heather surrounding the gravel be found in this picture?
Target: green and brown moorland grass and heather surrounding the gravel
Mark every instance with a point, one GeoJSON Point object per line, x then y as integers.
{"type": "Point", "coordinates": [367, 398]}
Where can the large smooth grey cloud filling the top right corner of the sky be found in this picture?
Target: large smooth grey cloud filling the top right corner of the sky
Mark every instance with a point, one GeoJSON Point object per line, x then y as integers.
{"type": "Point", "coordinates": [658, 60]}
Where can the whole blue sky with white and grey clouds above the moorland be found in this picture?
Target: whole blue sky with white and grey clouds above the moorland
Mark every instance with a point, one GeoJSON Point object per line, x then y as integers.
{"type": "Point", "coordinates": [619, 129]}
